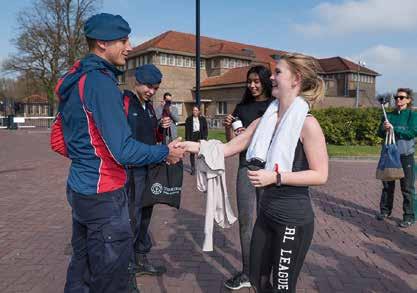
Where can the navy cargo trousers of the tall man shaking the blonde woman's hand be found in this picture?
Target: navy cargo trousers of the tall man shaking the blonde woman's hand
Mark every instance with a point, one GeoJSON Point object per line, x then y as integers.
{"type": "Point", "coordinates": [101, 243]}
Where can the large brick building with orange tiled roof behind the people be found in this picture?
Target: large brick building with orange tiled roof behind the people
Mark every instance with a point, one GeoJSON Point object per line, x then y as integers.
{"type": "Point", "coordinates": [224, 65]}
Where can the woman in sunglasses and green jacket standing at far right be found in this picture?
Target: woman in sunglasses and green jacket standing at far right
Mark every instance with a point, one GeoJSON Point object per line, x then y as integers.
{"type": "Point", "coordinates": [403, 121]}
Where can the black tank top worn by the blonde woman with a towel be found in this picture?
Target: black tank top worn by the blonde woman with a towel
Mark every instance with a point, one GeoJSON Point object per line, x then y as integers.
{"type": "Point", "coordinates": [289, 205]}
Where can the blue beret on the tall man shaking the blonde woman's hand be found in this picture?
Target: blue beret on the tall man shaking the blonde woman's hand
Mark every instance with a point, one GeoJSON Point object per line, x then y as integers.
{"type": "Point", "coordinates": [106, 27]}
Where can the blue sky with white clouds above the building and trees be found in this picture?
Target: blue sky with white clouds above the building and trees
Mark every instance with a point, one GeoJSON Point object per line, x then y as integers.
{"type": "Point", "coordinates": [383, 33]}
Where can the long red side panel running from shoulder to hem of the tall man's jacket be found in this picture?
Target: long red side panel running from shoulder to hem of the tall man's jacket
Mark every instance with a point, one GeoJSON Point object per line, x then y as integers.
{"type": "Point", "coordinates": [112, 175]}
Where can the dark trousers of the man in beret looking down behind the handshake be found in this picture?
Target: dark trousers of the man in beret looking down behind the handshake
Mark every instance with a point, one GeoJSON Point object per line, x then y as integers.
{"type": "Point", "coordinates": [140, 216]}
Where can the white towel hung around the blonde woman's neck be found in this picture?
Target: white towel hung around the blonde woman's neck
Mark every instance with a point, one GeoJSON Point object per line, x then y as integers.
{"type": "Point", "coordinates": [276, 145]}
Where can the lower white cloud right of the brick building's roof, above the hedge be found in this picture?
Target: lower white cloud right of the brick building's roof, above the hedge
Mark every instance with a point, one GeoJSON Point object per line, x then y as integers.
{"type": "Point", "coordinates": [396, 65]}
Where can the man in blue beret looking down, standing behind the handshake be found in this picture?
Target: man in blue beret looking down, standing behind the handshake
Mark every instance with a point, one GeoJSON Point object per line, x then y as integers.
{"type": "Point", "coordinates": [144, 125]}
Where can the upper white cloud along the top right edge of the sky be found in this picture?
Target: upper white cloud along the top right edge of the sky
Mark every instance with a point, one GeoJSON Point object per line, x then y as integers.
{"type": "Point", "coordinates": [365, 16]}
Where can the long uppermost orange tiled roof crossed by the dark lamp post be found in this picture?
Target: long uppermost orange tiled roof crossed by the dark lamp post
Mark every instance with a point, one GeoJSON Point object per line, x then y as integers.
{"type": "Point", "coordinates": [183, 42]}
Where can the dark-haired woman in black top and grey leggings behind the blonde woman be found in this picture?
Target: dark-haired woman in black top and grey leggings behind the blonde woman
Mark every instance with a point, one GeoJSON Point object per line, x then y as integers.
{"type": "Point", "coordinates": [254, 103]}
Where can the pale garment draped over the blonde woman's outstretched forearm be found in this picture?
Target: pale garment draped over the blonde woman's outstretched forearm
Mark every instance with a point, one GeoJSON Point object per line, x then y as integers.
{"type": "Point", "coordinates": [211, 178]}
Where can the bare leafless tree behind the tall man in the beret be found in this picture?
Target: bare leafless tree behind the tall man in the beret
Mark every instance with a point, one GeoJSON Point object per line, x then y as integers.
{"type": "Point", "coordinates": [49, 40]}
